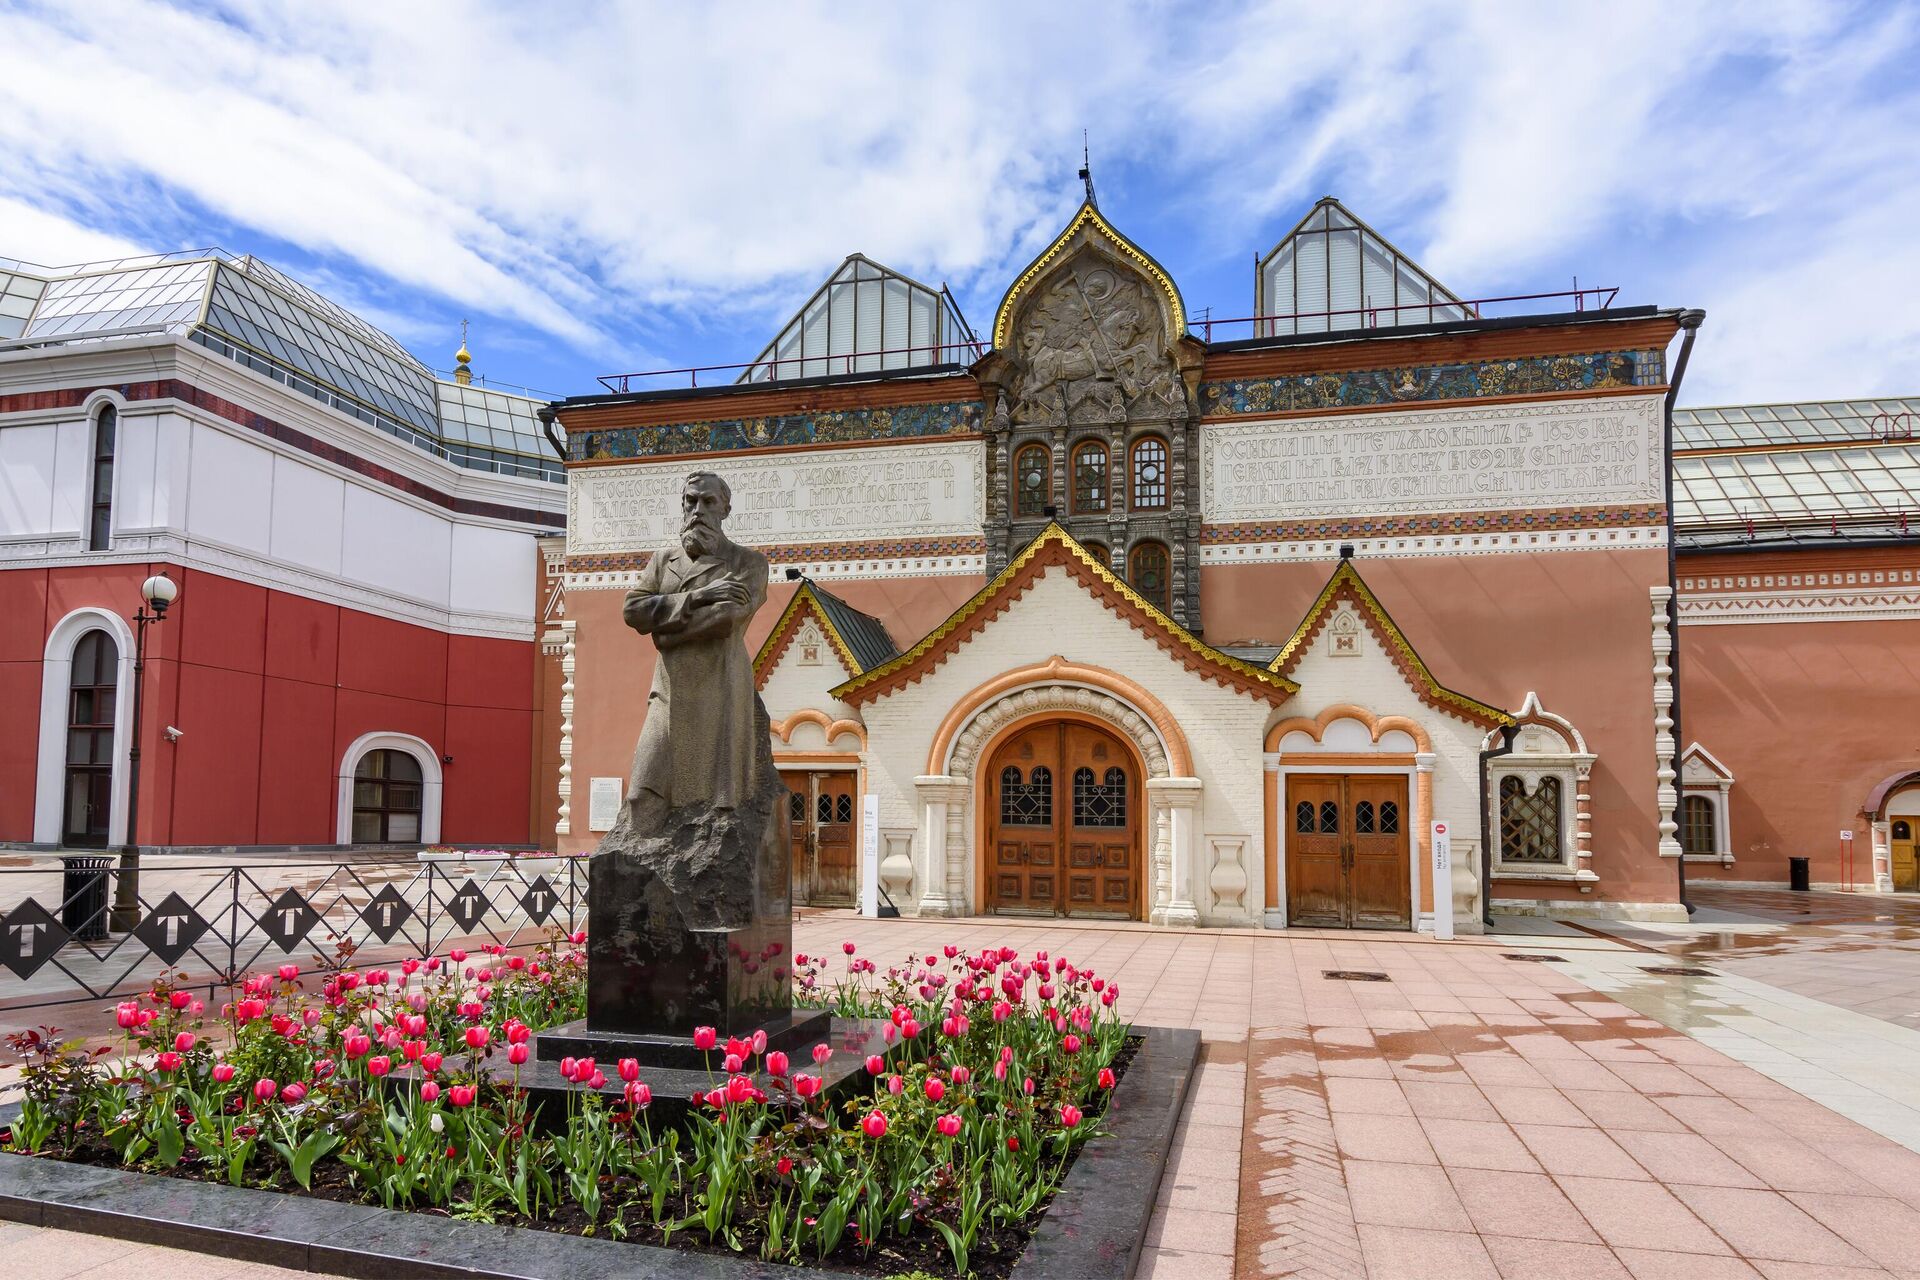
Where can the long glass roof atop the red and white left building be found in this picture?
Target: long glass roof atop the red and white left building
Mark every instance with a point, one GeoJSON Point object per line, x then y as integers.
{"type": "Point", "coordinates": [268, 321]}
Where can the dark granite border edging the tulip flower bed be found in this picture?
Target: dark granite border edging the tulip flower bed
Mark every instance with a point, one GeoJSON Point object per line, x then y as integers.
{"type": "Point", "coordinates": [1092, 1231]}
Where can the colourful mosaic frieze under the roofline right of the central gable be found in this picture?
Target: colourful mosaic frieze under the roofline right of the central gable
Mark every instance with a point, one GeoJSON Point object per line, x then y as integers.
{"type": "Point", "coordinates": [1422, 383]}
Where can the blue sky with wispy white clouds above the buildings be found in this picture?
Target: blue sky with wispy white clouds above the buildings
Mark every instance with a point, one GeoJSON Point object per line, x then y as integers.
{"type": "Point", "coordinates": [627, 187]}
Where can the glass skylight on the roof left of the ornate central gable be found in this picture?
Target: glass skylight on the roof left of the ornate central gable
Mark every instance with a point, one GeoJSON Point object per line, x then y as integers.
{"type": "Point", "coordinates": [867, 320]}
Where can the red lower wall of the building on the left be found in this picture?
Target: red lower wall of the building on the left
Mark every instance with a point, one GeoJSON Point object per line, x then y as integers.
{"type": "Point", "coordinates": [270, 692]}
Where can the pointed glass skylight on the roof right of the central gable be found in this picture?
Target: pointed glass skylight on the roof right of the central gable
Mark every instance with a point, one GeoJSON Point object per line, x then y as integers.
{"type": "Point", "coordinates": [1335, 273]}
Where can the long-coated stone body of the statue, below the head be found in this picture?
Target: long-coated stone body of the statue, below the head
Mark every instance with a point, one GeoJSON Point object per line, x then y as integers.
{"type": "Point", "coordinates": [700, 740]}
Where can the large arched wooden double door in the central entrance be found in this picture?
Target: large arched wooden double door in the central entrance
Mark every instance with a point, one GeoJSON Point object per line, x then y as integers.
{"type": "Point", "coordinates": [1065, 824]}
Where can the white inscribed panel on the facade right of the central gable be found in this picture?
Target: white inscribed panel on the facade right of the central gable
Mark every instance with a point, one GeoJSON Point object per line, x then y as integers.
{"type": "Point", "coordinates": [1497, 458]}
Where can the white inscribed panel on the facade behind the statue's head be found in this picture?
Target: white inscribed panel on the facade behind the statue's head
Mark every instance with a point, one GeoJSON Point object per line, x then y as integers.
{"type": "Point", "coordinates": [819, 496]}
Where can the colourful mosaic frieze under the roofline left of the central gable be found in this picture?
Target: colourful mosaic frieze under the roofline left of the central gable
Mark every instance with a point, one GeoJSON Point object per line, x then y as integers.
{"type": "Point", "coordinates": [779, 431]}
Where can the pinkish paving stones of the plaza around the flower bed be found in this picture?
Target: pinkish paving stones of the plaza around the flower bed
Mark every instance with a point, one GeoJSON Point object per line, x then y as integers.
{"type": "Point", "coordinates": [1468, 1116]}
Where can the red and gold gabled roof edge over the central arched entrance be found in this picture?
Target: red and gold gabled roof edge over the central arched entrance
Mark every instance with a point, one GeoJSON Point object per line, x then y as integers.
{"type": "Point", "coordinates": [1055, 548]}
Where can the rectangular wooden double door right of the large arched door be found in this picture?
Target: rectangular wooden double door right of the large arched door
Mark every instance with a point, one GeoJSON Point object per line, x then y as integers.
{"type": "Point", "coordinates": [1349, 851]}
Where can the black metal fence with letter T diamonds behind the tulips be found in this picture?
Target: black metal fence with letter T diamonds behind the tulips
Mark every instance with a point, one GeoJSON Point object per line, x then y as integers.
{"type": "Point", "coordinates": [220, 922]}
